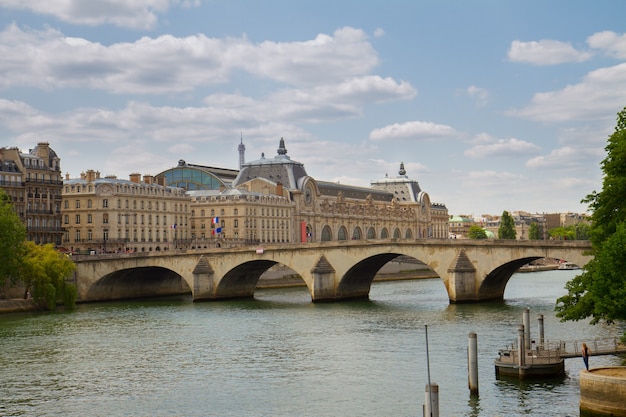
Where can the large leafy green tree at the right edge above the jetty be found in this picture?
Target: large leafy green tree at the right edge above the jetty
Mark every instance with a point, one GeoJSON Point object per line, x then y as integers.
{"type": "Point", "coordinates": [599, 292]}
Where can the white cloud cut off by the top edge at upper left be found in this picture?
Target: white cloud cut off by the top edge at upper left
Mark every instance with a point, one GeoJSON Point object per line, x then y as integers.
{"type": "Point", "coordinates": [136, 14]}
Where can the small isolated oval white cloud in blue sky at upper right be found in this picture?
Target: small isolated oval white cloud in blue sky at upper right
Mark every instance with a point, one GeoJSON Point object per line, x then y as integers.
{"type": "Point", "coordinates": [545, 52]}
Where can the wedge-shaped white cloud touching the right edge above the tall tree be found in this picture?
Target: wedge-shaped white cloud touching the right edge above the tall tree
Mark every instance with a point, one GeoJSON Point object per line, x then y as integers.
{"type": "Point", "coordinates": [601, 94]}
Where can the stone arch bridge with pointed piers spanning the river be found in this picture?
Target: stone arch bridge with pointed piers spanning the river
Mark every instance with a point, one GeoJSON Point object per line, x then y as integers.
{"type": "Point", "coordinates": [472, 270]}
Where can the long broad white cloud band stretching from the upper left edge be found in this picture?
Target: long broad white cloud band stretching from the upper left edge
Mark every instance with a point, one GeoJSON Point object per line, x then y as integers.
{"type": "Point", "coordinates": [48, 59]}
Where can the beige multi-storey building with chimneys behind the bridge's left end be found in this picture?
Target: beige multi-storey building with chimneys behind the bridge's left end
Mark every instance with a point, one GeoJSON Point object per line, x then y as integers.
{"type": "Point", "coordinates": [114, 215]}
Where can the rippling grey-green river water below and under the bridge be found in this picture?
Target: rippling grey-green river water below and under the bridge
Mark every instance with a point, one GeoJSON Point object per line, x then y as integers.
{"type": "Point", "coordinates": [281, 355]}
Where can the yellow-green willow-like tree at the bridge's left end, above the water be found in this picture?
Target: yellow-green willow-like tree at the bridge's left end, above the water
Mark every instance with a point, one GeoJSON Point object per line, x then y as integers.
{"type": "Point", "coordinates": [44, 270]}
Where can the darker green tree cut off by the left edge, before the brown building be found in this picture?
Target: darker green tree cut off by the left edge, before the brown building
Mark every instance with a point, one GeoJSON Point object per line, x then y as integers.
{"type": "Point", "coordinates": [12, 238]}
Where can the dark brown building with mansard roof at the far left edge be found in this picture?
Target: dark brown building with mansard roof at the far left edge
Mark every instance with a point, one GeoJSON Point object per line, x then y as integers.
{"type": "Point", "coordinates": [33, 182]}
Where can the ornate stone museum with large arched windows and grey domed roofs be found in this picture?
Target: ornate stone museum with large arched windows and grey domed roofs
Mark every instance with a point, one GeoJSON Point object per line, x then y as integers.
{"type": "Point", "coordinates": [325, 211]}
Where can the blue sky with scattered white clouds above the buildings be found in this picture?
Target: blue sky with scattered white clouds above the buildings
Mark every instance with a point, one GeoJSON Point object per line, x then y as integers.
{"type": "Point", "coordinates": [492, 105]}
